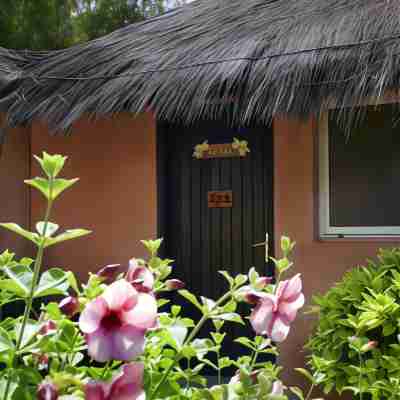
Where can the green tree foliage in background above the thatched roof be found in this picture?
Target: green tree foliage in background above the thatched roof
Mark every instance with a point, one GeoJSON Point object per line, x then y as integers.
{"type": "Point", "coordinates": [56, 24]}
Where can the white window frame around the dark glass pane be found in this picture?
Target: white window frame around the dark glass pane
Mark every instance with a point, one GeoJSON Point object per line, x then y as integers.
{"type": "Point", "coordinates": [326, 230]}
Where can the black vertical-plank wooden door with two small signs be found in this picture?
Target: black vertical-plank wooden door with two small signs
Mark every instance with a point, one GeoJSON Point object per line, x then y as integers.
{"type": "Point", "coordinates": [204, 240]}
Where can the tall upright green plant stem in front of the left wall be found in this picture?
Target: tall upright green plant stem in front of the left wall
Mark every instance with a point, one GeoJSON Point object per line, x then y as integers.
{"type": "Point", "coordinates": [36, 272]}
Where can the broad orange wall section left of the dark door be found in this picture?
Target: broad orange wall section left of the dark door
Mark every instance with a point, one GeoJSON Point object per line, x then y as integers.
{"type": "Point", "coordinates": [116, 196]}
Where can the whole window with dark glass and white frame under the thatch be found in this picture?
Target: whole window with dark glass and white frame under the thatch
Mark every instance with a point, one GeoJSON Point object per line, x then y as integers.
{"type": "Point", "coordinates": [359, 174]}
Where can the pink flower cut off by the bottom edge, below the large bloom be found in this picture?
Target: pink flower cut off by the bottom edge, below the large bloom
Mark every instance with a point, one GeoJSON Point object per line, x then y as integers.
{"type": "Point", "coordinates": [128, 385]}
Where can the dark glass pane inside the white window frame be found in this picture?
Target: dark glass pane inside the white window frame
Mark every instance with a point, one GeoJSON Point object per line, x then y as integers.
{"type": "Point", "coordinates": [365, 170]}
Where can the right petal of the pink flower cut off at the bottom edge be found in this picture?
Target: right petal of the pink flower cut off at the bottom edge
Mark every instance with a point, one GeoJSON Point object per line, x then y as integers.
{"type": "Point", "coordinates": [129, 384]}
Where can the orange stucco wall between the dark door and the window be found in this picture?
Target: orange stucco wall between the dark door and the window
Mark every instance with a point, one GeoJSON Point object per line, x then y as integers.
{"type": "Point", "coordinates": [322, 263]}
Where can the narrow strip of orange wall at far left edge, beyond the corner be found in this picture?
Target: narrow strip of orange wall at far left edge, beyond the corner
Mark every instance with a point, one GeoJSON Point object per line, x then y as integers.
{"type": "Point", "coordinates": [14, 168]}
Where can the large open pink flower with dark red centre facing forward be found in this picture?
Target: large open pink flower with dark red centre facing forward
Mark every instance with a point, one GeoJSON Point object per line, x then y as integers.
{"type": "Point", "coordinates": [115, 323]}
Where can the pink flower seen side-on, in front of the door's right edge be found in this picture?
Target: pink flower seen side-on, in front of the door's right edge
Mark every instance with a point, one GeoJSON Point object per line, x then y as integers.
{"type": "Point", "coordinates": [274, 312]}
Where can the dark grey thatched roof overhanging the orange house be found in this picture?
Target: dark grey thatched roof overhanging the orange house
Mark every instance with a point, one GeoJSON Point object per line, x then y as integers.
{"type": "Point", "coordinates": [245, 60]}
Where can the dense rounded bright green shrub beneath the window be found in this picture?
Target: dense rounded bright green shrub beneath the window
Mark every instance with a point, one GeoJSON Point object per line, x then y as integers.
{"type": "Point", "coordinates": [355, 346]}
